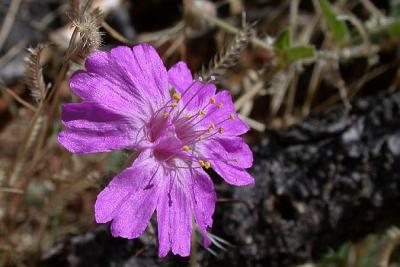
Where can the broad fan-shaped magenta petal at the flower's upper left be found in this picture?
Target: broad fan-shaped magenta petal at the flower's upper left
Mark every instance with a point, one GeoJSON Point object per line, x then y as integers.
{"type": "Point", "coordinates": [125, 79]}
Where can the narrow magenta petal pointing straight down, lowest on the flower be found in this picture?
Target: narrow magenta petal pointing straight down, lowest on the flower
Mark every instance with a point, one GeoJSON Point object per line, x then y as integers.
{"type": "Point", "coordinates": [174, 218]}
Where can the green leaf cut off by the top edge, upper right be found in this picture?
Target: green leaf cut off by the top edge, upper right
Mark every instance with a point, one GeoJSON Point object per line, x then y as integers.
{"type": "Point", "coordinates": [338, 27]}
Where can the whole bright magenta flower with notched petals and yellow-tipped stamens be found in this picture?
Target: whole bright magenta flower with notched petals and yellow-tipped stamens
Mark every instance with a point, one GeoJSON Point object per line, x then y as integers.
{"type": "Point", "coordinates": [177, 126]}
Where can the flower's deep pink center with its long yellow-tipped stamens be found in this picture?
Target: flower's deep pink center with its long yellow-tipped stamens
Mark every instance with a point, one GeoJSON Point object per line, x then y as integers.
{"type": "Point", "coordinates": [174, 130]}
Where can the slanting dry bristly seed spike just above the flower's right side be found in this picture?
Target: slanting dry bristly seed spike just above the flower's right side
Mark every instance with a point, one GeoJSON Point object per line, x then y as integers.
{"type": "Point", "coordinates": [228, 58]}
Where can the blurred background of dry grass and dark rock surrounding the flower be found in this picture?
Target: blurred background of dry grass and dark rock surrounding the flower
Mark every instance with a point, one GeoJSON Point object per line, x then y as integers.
{"type": "Point", "coordinates": [316, 80]}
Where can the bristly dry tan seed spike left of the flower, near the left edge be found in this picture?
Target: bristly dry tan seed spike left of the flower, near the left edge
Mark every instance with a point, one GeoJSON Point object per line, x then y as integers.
{"type": "Point", "coordinates": [34, 75]}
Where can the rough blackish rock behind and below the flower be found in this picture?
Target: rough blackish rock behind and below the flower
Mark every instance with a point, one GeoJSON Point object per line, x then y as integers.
{"type": "Point", "coordinates": [332, 179]}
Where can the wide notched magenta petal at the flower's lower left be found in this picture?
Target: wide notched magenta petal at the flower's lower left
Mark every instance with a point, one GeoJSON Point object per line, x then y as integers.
{"type": "Point", "coordinates": [130, 199]}
